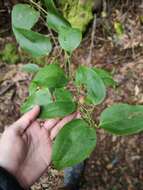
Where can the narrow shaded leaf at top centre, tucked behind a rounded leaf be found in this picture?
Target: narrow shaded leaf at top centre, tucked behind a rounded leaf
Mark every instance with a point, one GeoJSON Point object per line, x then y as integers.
{"type": "Point", "coordinates": [55, 20]}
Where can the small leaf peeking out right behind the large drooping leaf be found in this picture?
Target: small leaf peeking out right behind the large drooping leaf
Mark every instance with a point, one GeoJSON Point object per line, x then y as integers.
{"type": "Point", "coordinates": [106, 77]}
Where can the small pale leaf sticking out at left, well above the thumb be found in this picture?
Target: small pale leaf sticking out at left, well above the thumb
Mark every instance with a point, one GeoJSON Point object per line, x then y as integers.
{"type": "Point", "coordinates": [30, 68]}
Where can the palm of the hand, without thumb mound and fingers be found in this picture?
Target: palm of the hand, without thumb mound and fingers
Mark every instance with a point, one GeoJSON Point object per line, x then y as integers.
{"type": "Point", "coordinates": [37, 147]}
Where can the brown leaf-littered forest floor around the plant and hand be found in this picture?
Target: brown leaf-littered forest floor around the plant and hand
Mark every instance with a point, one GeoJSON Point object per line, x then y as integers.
{"type": "Point", "coordinates": [117, 162]}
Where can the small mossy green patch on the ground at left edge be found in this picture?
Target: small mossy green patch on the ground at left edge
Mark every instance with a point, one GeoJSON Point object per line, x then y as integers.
{"type": "Point", "coordinates": [9, 54]}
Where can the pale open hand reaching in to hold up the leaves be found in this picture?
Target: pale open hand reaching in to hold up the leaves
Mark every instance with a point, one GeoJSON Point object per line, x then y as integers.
{"type": "Point", "coordinates": [26, 146]}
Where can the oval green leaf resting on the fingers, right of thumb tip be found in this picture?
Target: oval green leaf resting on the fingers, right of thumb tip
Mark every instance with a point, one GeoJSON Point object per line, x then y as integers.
{"type": "Point", "coordinates": [57, 109]}
